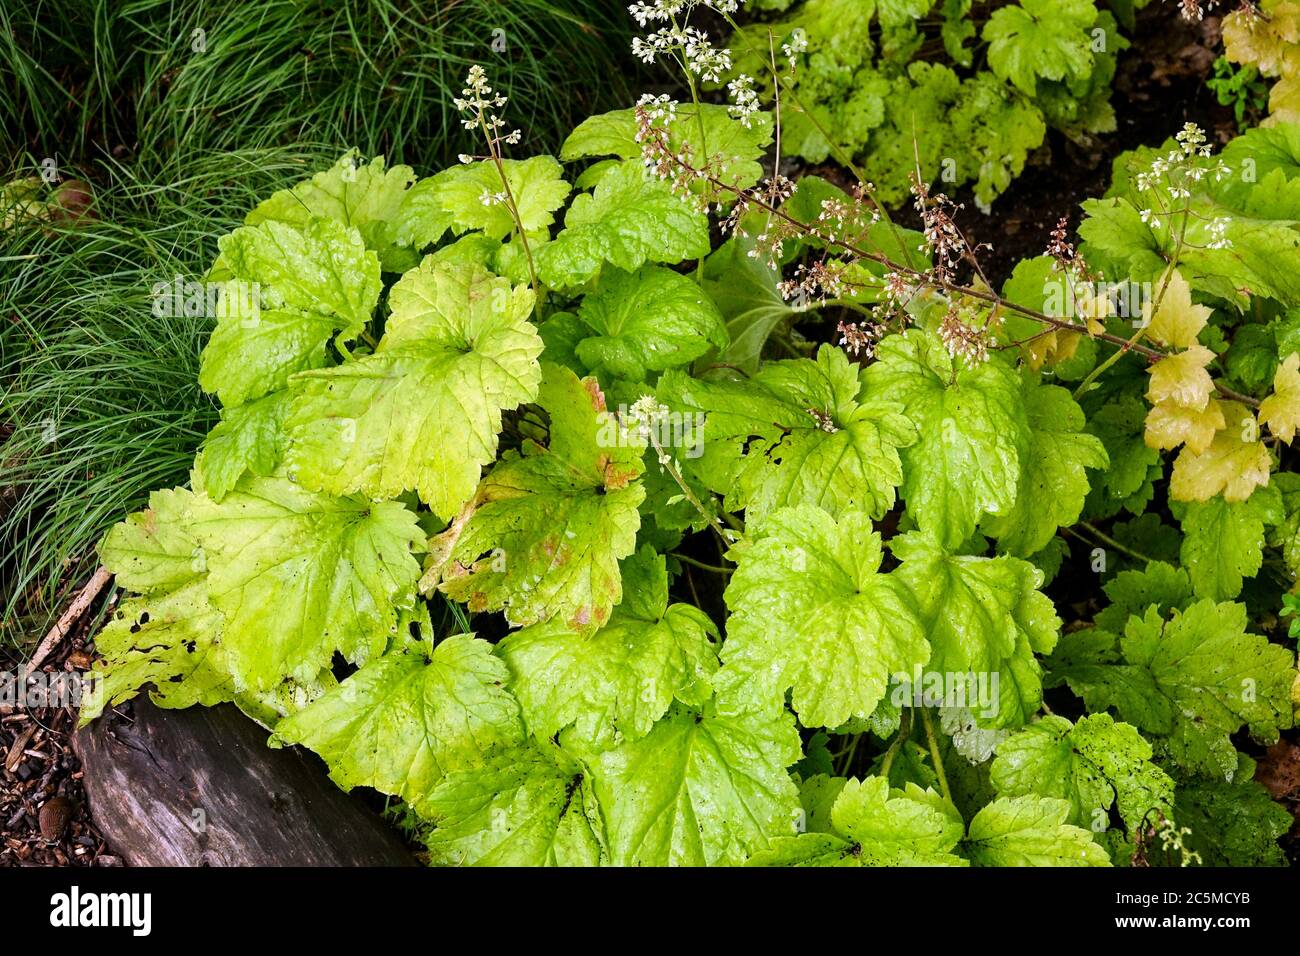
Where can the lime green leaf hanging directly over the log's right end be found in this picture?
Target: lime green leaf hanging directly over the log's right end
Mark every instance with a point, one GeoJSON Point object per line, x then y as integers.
{"type": "Point", "coordinates": [405, 721]}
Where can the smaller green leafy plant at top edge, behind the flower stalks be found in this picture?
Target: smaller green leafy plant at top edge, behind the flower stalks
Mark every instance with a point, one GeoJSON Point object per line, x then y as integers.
{"type": "Point", "coordinates": [968, 94]}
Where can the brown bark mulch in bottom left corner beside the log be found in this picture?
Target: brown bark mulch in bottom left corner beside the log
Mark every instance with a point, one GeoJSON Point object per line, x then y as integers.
{"type": "Point", "coordinates": [45, 820]}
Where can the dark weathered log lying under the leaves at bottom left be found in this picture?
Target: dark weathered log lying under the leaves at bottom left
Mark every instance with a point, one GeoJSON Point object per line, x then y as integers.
{"type": "Point", "coordinates": [200, 788]}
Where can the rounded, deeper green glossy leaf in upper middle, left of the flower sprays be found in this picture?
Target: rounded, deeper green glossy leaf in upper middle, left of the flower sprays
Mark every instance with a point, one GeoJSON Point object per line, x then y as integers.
{"type": "Point", "coordinates": [647, 322]}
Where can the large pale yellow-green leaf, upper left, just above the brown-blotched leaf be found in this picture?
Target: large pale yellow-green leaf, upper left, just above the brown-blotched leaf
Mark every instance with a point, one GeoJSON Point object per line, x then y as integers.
{"type": "Point", "coordinates": [424, 410]}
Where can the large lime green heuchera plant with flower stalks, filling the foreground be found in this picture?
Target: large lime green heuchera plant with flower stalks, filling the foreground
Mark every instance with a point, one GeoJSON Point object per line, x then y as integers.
{"type": "Point", "coordinates": [531, 508]}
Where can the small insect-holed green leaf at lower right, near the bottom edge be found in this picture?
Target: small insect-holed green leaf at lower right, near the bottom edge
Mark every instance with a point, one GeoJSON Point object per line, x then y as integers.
{"type": "Point", "coordinates": [1093, 764]}
